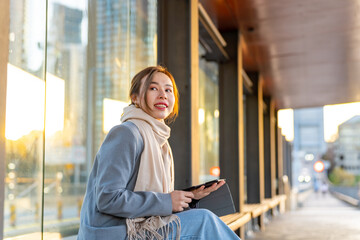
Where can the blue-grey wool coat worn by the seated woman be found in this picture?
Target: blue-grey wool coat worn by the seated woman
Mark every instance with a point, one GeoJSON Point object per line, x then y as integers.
{"type": "Point", "coordinates": [109, 197]}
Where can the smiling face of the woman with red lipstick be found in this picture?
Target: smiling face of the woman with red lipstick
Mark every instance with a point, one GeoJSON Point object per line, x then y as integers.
{"type": "Point", "coordinates": [160, 97]}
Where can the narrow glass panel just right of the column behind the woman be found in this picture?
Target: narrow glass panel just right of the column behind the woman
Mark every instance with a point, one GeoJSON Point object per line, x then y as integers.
{"type": "Point", "coordinates": [208, 118]}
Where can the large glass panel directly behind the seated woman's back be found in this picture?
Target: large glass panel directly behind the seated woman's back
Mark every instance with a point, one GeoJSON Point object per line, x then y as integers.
{"type": "Point", "coordinates": [94, 48]}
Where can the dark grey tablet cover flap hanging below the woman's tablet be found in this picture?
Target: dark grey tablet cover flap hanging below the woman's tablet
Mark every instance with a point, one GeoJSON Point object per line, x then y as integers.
{"type": "Point", "coordinates": [219, 202]}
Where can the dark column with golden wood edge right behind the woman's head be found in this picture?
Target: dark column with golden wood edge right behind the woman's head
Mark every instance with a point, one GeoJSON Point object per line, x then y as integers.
{"type": "Point", "coordinates": [178, 51]}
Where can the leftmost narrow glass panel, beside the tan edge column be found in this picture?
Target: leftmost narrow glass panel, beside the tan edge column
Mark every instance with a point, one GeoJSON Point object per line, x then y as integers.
{"type": "Point", "coordinates": [25, 119]}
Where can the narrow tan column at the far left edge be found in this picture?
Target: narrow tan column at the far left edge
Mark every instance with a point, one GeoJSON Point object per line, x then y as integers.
{"type": "Point", "coordinates": [4, 54]}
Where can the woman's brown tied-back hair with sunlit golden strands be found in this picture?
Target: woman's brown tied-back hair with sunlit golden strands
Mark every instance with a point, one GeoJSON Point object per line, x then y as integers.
{"type": "Point", "coordinates": [148, 72]}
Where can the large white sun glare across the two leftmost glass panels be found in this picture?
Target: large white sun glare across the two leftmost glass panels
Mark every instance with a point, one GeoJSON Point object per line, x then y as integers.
{"type": "Point", "coordinates": [25, 102]}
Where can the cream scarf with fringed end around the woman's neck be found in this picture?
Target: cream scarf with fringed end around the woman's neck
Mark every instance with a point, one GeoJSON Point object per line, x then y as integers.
{"type": "Point", "coordinates": [156, 173]}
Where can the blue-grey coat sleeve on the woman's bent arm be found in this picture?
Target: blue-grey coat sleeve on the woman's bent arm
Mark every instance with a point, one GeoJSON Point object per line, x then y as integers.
{"type": "Point", "coordinates": [116, 162]}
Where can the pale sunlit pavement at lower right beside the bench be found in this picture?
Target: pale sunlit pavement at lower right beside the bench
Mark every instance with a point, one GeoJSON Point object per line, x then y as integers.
{"type": "Point", "coordinates": [321, 218]}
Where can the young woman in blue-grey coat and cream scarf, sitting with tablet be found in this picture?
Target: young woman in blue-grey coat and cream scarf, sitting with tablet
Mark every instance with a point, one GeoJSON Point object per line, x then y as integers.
{"type": "Point", "coordinates": [130, 192]}
